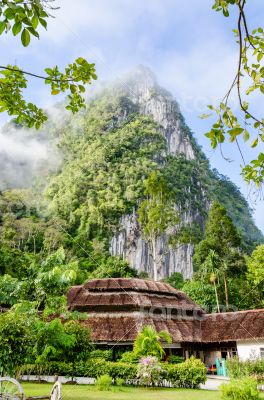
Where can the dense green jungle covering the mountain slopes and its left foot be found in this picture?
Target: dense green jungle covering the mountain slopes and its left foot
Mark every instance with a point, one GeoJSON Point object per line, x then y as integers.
{"type": "Point", "coordinates": [57, 232]}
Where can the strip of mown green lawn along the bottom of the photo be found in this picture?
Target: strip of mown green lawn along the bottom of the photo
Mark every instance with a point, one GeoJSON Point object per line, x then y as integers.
{"type": "Point", "coordinates": [81, 392]}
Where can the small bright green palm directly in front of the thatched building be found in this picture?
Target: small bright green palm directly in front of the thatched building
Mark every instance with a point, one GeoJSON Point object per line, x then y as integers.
{"type": "Point", "coordinates": [149, 342]}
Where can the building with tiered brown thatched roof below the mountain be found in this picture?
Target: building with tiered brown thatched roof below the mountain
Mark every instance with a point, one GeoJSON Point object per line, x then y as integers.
{"type": "Point", "coordinates": [118, 309]}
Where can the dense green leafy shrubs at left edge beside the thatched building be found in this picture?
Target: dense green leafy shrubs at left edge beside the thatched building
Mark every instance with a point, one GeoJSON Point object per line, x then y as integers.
{"type": "Point", "coordinates": [25, 338]}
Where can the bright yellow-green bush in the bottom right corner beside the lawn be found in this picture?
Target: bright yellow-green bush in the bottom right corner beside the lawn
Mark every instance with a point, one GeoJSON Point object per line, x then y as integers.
{"type": "Point", "coordinates": [240, 389]}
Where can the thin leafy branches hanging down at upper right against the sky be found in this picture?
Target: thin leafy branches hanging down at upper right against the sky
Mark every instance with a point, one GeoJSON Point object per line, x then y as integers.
{"type": "Point", "coordinates": [250, 69]}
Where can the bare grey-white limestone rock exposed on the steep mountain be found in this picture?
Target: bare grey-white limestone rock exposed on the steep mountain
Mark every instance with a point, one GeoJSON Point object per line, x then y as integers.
{"type": "Point", "coordinates": [128, 242]}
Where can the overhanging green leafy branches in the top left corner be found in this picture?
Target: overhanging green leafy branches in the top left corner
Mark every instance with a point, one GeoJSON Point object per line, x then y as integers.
{"type": "Point", "coordinates": [21, 16]}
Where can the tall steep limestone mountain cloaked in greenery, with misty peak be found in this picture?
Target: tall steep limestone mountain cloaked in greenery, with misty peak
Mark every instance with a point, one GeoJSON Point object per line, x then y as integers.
{"type": "Point", "coordinates": [129, 129]}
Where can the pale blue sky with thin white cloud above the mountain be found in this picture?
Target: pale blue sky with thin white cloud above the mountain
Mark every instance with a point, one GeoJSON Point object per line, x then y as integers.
{"type": "Point", "coordinates": [190, 48]}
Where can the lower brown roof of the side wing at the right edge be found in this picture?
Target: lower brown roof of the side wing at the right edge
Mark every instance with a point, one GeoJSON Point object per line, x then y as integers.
{"type": "Point", "coordinates": [240, 325]}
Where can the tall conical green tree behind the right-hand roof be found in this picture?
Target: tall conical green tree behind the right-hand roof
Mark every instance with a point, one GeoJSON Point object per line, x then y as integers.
{"type": "Point", "coordinates": [221, 276]}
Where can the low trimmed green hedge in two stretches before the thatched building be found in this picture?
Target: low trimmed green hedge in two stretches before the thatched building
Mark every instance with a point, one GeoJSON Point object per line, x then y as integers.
{"type": "Point", "coordinates": [188, 374]}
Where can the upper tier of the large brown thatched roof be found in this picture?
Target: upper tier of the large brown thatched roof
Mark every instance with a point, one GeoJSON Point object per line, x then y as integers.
{"type": "Point", "coordinates": [128, 295]}
